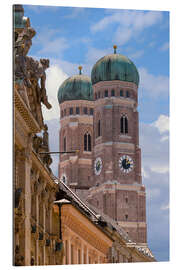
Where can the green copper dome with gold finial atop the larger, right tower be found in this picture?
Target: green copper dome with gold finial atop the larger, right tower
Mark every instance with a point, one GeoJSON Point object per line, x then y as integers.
{"type": "Point", "coordinates": [115, 67]}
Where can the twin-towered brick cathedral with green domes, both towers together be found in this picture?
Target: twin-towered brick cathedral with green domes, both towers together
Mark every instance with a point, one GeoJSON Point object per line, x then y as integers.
{"type": "Point", "coordinates": [113, 172]}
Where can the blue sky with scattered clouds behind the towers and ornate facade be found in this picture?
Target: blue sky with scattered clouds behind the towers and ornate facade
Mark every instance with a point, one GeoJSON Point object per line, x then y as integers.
{"type": "Point", "coordinates": [73, 36]}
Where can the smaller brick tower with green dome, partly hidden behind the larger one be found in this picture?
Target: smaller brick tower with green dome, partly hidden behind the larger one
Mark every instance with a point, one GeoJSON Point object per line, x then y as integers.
{"type": "Point", "coordinates": [76, 131]}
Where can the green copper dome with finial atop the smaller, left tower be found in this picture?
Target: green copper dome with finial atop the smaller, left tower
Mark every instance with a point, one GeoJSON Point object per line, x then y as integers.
{"type": "Point", "coordinates": [77, 87]}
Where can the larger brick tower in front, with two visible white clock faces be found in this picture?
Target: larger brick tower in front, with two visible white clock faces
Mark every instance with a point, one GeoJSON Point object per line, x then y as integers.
{"type": "Point", "coordinates": [117, 184]}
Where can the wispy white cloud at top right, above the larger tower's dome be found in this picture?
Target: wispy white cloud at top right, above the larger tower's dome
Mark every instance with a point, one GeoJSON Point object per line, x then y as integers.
{"type": "Point", "coordinates": [130, 23]}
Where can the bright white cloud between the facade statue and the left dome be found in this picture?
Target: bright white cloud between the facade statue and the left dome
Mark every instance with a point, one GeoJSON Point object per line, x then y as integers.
{"type": "Point", "coordinates": [55, 77]}
